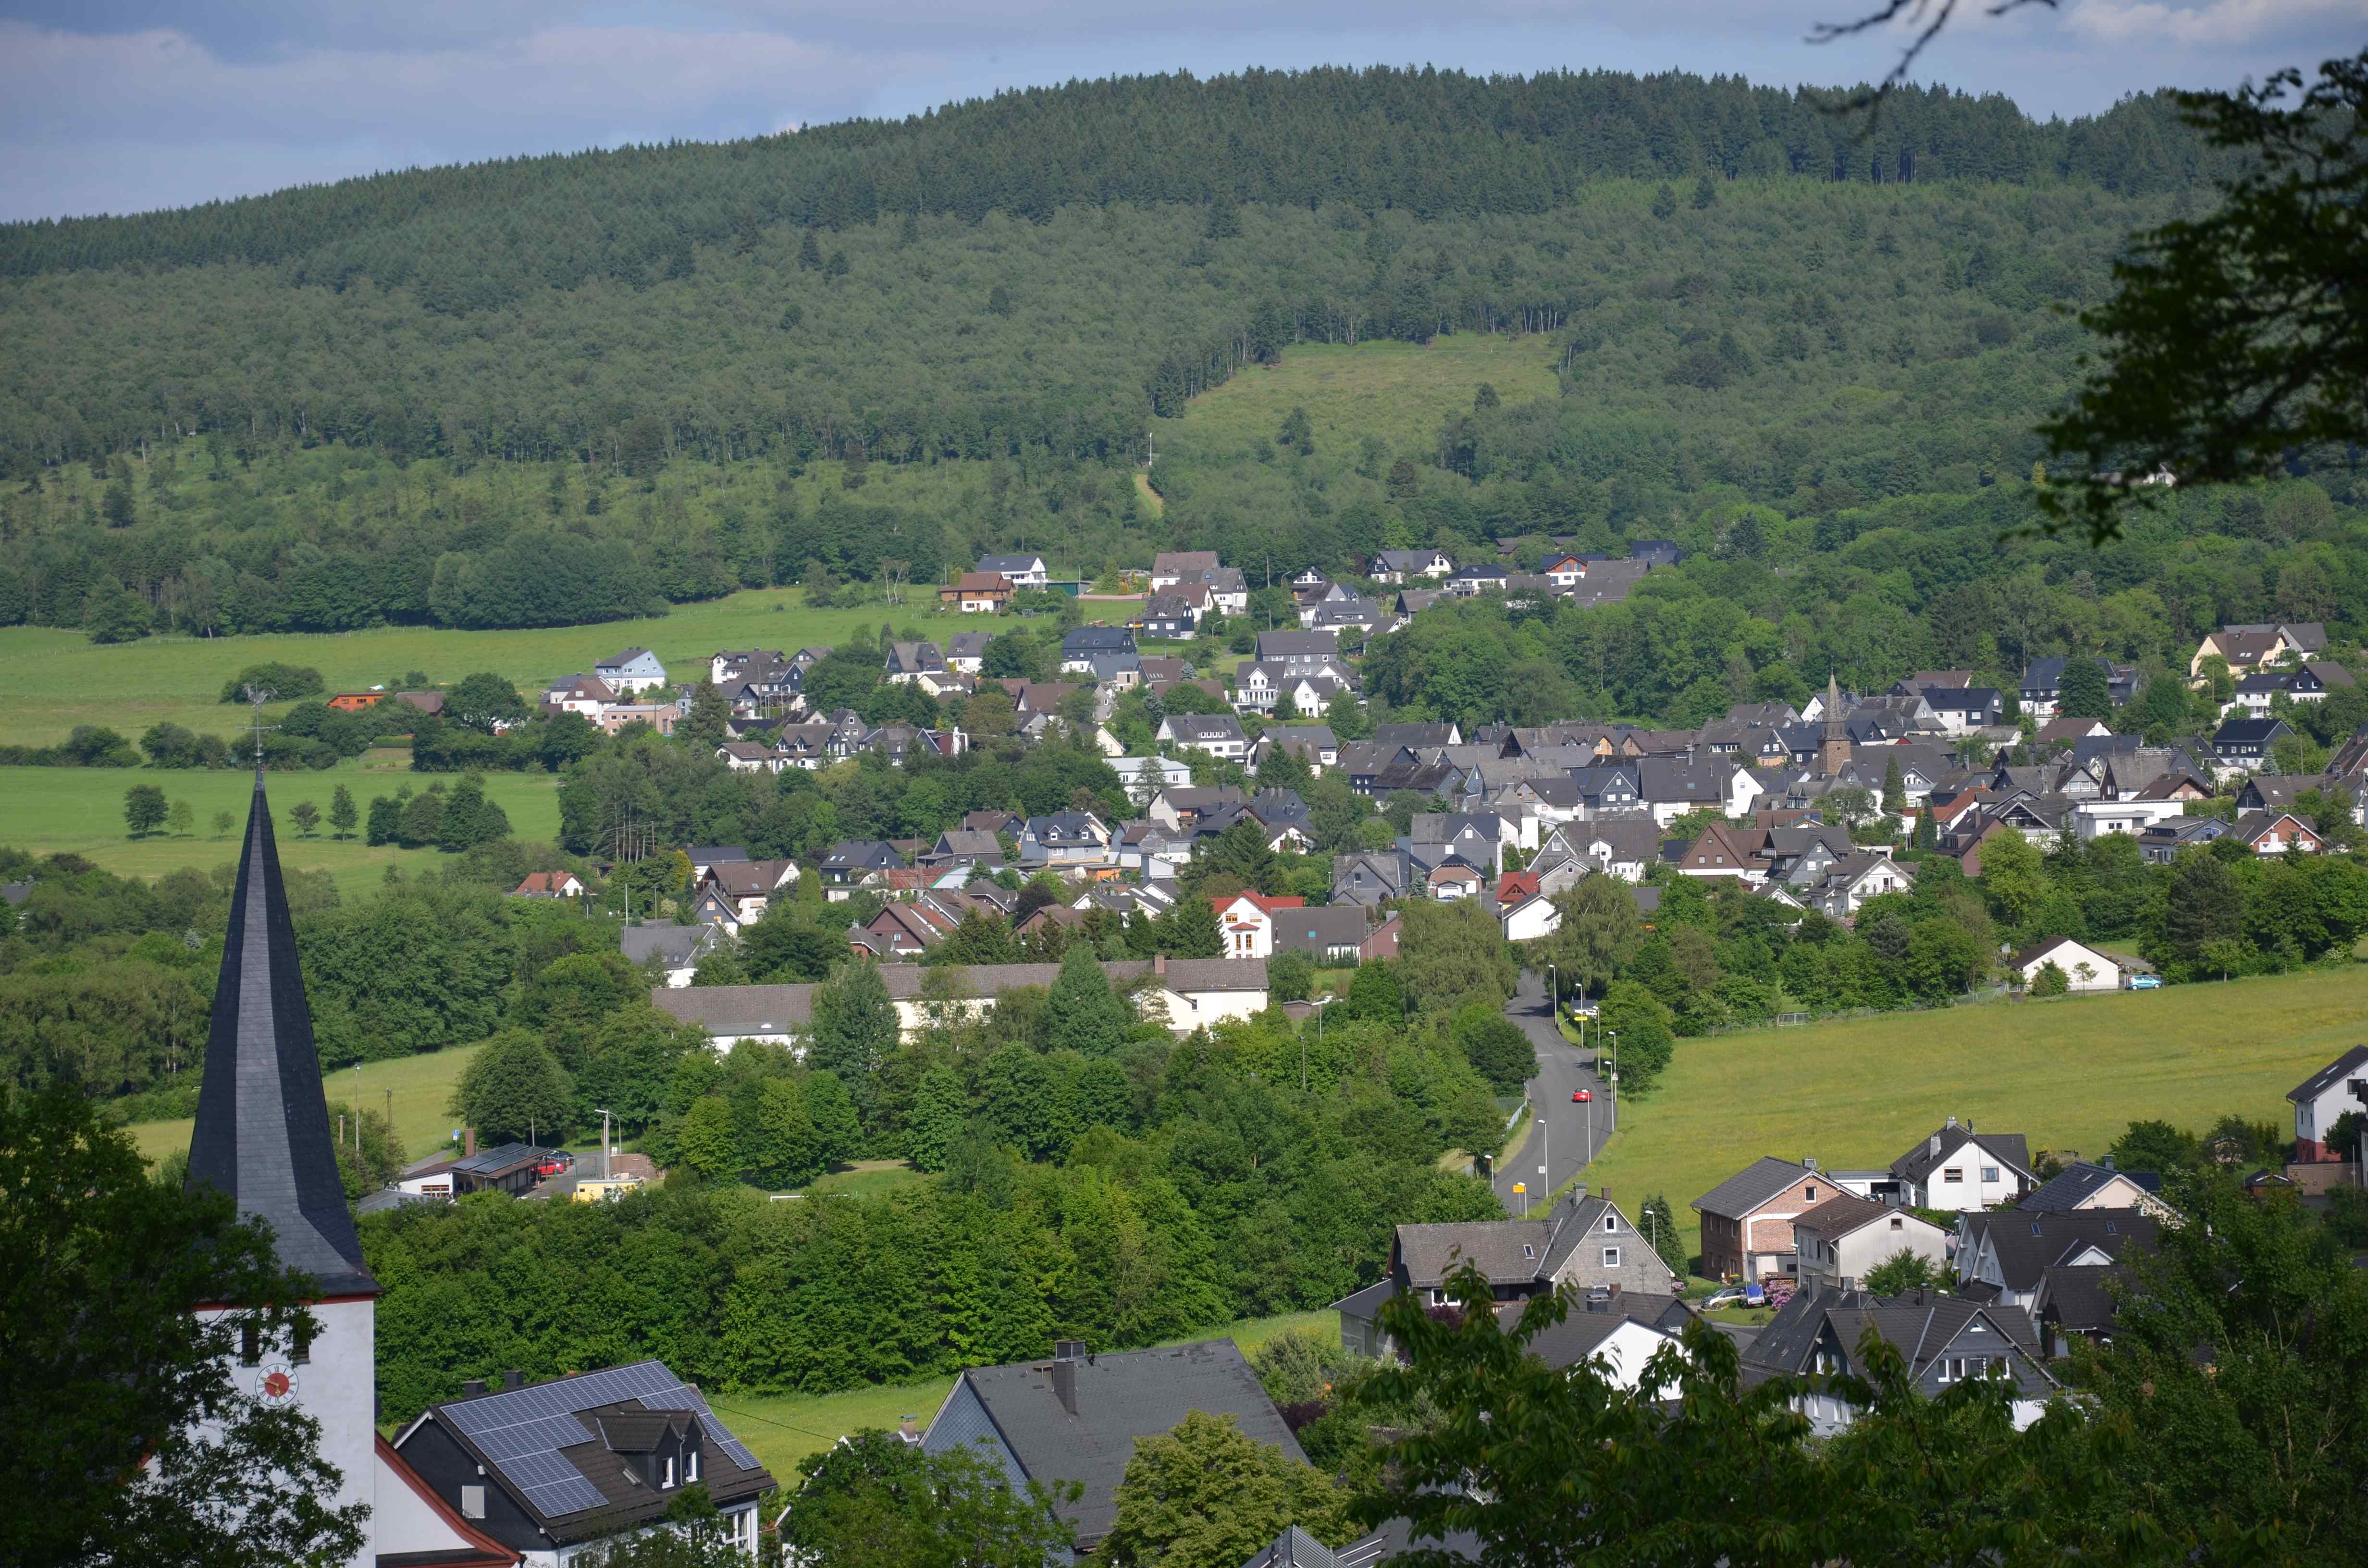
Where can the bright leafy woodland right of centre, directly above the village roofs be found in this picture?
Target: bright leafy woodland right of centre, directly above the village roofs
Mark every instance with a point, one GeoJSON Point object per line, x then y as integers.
{"type": "Point", "coordinates": [1772, 605]}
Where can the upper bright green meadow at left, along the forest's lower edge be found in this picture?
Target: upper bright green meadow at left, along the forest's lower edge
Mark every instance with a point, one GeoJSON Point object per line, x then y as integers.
{"type": "Point", "coordinates": [53, 681]}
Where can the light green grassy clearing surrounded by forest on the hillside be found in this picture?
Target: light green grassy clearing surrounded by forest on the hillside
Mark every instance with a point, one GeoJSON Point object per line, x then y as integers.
{"type": "Point", "coordinates": [1398, 392]}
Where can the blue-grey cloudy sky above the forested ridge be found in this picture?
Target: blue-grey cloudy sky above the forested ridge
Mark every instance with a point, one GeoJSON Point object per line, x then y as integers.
{"type": "Point", "coordinates": [127, 105]}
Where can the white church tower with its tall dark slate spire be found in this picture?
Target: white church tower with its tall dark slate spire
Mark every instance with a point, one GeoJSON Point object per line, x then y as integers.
{"type": "Point", "coordinates": [264, 1138]}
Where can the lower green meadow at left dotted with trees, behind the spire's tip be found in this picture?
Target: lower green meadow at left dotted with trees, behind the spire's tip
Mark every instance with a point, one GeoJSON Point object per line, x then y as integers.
{"type": "Point", "coordinates": [82, 811]}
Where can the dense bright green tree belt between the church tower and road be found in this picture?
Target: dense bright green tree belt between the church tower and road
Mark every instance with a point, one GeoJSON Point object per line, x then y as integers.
{"type": "Point", "coordinates": [1100, 1181]}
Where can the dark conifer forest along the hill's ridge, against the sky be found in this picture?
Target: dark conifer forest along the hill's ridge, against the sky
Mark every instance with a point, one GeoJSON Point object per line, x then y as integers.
{"type": "Point", "coordinates": [1427, 141]}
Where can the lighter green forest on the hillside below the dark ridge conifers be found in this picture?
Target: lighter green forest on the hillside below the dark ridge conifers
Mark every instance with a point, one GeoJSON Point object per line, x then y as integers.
{"type": "Point", "coordinates": [1813, 349]}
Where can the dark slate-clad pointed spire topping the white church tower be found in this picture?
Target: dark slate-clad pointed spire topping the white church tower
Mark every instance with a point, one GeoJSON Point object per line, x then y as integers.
{"type": "Point", "coordinates": [262, 1117]}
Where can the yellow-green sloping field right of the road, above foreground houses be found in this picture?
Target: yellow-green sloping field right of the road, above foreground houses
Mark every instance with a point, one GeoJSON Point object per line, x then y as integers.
{"type": "Point", "coordinates": [2068, 1074]}
